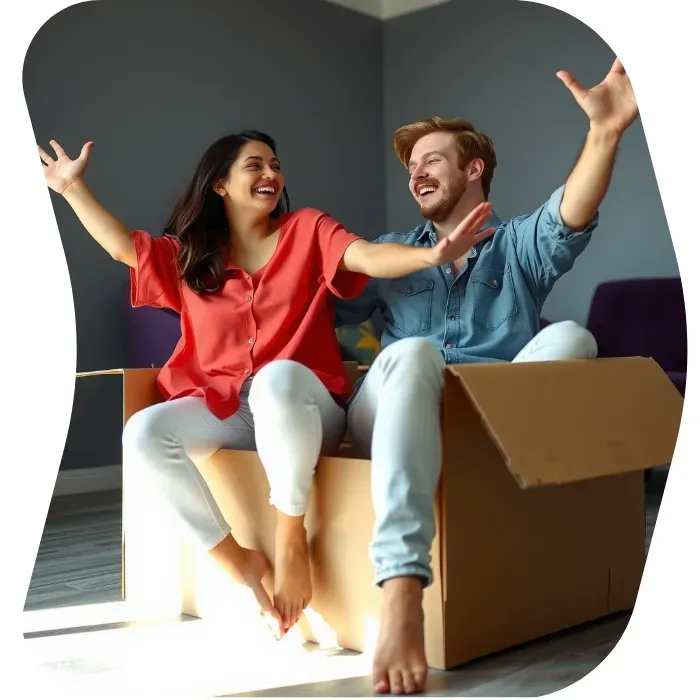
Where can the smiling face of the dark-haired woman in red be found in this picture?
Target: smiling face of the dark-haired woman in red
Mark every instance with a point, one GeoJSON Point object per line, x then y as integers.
{"type": "Point", "coordinates": [255, 180]}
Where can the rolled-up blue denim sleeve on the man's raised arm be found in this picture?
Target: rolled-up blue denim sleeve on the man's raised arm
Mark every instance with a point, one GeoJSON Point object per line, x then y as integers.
{"type": "Point", "coordinates": [546, 247]}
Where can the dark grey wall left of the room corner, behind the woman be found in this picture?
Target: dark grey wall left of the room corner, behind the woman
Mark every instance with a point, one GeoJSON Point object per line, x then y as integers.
{"type": "Point", "coordinates": [153, 84]}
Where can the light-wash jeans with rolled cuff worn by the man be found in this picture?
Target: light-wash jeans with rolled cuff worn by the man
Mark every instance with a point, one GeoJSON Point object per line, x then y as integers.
{"type": "Point", "coordinates": [395, 418]}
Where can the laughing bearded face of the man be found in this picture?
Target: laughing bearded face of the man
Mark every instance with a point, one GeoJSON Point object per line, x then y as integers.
{"type": "Point", "coordinates": [437, 182]}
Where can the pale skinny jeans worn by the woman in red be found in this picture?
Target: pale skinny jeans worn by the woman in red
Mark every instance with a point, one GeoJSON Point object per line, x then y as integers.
{"type": "Point", "coordinates": [286, 414]}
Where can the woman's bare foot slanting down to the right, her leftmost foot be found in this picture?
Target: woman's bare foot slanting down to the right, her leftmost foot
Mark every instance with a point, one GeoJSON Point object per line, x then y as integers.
{"type": "Point", "coordinates": [248, 567]}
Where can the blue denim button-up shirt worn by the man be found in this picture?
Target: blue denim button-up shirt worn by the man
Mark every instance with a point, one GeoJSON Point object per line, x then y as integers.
{"type": "Point", "coordinates": [488, 311]}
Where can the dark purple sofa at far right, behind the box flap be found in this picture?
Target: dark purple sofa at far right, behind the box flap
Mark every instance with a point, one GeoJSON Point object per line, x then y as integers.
{"type": "Point", "coordinates": [642, 317]}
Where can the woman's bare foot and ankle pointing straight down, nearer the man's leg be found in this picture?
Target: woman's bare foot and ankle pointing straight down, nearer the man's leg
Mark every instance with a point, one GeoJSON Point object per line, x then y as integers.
{"type": "Point", "coordinates": [292, 591]}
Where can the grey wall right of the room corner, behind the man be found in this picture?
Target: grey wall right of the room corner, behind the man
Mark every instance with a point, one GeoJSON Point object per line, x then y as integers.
{"type": "Point", "coordinates": [494, 62]}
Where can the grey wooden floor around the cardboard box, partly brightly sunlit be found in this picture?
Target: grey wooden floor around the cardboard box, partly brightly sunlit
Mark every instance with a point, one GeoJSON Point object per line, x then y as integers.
{"type": "Point", "coordinates": [79, 634]}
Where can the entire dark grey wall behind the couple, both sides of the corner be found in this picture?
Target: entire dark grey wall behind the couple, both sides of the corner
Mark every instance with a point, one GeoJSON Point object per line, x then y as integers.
{"type": "Point", "coordinates": [153, 83]}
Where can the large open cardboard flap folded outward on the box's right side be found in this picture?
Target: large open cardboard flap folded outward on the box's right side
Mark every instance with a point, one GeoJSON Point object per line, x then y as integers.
{"type": "Point", "coordinates": [567, 421]}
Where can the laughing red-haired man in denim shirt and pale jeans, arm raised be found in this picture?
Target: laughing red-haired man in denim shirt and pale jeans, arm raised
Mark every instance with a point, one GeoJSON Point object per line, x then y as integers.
{"type": "Point", "coordinates": [483, 307]}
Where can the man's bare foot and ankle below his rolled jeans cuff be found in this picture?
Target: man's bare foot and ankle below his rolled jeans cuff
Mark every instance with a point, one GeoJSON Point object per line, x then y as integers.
{"type": "Point", "coordinates": [400, 666]}
